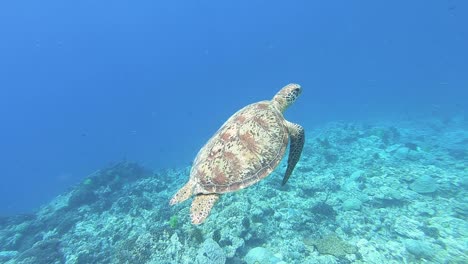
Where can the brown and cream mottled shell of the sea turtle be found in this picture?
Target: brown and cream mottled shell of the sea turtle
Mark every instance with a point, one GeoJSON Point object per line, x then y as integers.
{"type": "Point", "coordinates": [246, 149]}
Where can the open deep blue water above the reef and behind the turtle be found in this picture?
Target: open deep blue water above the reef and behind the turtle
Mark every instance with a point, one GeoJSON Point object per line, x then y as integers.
{"type": "Point", "coordinates": [85, 83]}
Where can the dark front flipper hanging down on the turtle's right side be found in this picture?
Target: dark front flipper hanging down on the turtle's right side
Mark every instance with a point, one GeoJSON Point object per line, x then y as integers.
{"type": "Point", "coordinates": [297, 137]}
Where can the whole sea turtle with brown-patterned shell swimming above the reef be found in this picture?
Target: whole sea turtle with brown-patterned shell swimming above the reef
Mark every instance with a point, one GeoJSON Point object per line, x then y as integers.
{"type": "Point", "coordinates": [246, 149]}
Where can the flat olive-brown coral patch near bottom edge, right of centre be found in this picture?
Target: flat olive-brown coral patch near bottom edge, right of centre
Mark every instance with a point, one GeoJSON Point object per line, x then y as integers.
{"type": "Point", "coordinates": [333, 245]}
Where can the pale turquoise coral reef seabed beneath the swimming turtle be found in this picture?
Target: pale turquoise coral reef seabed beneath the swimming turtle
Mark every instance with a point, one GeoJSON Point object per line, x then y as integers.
{"type": "Point", "coordinates": [387, 191]}
